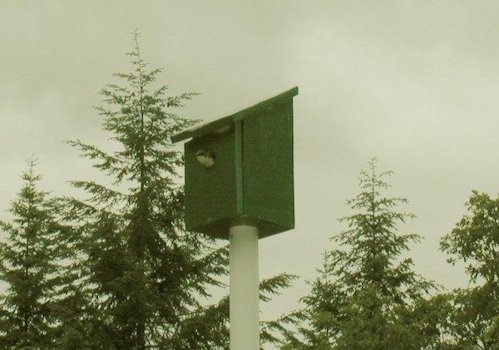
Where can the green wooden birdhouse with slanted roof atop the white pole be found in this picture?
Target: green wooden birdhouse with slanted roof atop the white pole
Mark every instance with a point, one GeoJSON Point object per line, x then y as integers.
{"type": "Point", "coordinates": [240, 169]}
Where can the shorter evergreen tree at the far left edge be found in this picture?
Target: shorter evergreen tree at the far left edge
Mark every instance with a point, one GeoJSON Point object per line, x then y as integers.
{"type": "Point", "coordinates": [29, 267]}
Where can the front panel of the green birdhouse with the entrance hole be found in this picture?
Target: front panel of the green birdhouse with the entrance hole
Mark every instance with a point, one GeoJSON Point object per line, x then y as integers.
{"type": "Point", "coordinates": [210, 191]}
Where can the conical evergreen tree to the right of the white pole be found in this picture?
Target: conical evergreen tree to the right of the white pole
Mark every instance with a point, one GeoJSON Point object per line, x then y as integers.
{"type": "Point", "coordinates": [366, 291]}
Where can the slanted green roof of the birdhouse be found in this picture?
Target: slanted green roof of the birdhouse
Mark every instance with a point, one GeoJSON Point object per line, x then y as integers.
{"type": "Point", "coordinates": [223, 124]}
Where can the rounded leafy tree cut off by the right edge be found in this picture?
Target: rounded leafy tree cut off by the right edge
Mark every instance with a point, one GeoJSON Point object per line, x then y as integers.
{"type": "Point", "coordinates": [475, 241]}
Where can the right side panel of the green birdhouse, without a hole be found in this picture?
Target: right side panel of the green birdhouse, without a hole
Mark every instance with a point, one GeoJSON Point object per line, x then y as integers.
{"type": "Point", "coordinates": [268, 167]}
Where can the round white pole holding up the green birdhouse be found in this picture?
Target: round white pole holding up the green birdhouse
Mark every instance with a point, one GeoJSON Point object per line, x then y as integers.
{"type": "Point", "coordinates": [244, 312]}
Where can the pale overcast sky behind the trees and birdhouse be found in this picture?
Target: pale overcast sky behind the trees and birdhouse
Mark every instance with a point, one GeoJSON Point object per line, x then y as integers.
{"type": "Point", "coordinates": [413, 83]}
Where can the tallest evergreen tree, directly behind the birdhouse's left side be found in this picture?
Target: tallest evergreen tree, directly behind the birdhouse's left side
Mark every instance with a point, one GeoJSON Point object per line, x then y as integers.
{"type": "Point", "coordinates": [145, 277]}
